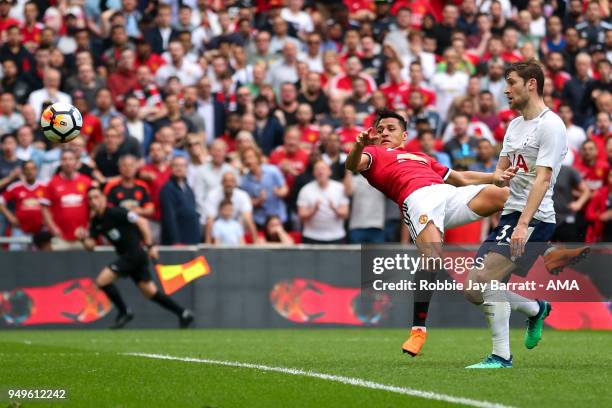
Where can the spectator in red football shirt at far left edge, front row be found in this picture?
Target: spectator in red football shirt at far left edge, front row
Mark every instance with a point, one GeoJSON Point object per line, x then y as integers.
{"type": "Point", "coordinates": [24, 196]}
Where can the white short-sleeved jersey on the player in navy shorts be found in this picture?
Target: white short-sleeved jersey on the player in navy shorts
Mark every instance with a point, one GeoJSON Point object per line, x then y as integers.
{"type": "Point", "coordinates": [541, 141]}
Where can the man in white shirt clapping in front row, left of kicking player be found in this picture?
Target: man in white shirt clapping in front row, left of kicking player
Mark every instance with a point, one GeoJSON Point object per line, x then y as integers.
{"type": "Point", "coordinates": [322, 207]}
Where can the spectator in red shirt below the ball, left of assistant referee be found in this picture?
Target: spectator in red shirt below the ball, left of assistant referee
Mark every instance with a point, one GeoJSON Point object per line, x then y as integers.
{"type": "Point", "coordinates": [64, 204]}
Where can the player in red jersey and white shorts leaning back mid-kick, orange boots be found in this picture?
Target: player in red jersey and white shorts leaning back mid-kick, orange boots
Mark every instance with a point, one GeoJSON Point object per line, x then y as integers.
{"type": "Point", "coordinates": [432, 197]}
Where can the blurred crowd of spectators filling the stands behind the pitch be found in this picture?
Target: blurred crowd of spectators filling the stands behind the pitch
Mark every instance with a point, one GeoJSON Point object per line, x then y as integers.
{"type": "Point", "coordinates": [229, 121]}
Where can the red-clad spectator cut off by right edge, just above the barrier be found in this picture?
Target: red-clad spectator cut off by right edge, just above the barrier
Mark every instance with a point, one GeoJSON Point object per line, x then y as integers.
{"type": "Point", "coordinates": [599, 214]}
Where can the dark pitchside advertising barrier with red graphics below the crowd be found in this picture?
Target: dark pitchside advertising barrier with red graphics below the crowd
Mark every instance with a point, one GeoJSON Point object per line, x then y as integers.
{"type": "Point", "coordinates": [257, 287]}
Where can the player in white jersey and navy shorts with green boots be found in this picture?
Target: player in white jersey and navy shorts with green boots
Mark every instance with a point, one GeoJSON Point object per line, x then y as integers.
{"type": "Point", "coordinates": [534, 146]}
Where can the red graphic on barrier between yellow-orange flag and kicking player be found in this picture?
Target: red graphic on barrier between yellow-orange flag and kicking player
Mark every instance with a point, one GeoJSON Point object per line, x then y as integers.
{"type": "Point", "coordinates": [311, 301]}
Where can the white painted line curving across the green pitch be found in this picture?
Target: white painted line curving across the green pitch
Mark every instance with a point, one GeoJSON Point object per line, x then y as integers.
{"type": "Point", "coordinates": [329, 377]}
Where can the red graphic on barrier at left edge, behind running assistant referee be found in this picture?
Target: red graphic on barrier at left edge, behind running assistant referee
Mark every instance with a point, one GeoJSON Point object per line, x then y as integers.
{"type": "Point", "coordinates": [73, 301]}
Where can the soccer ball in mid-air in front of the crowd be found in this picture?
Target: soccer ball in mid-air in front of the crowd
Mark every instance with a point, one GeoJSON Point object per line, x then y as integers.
{"type": "Point", "coordinates": [61, 122]}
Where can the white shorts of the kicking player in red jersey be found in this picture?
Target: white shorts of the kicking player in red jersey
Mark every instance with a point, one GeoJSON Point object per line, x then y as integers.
{"type": "Point", "coordinates": [445, 205]}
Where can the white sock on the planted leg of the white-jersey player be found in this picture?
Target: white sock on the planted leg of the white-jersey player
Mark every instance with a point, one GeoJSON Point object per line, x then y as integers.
{"type": "Point", "coordinates": [497, 315]}
